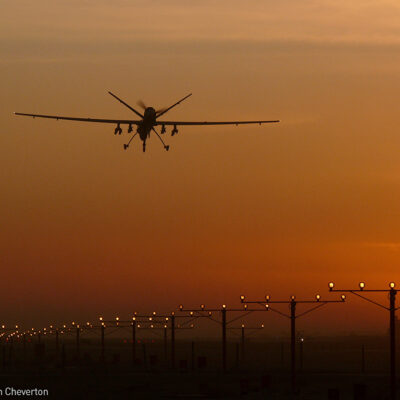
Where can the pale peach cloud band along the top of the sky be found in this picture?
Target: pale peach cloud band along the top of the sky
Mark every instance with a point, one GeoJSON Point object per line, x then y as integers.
{"type": "Point", "coordinates": [361, 21]}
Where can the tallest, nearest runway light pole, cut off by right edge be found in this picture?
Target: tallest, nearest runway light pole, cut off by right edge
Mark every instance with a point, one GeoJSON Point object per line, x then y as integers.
{"type": "Point", "coordinates": [392, 325]}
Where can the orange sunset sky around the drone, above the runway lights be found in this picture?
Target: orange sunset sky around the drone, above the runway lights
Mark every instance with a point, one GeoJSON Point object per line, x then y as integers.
{"type": "Point", "coordinates": [89, 229]}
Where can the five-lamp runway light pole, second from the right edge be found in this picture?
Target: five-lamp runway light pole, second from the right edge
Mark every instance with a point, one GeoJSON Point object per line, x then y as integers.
{"type": "Point", "coordinates": [292, 317]}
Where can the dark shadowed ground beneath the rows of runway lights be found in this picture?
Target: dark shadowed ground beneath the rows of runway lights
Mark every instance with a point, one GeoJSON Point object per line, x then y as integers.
{"type": "Point", "coordinates": [261, 371]}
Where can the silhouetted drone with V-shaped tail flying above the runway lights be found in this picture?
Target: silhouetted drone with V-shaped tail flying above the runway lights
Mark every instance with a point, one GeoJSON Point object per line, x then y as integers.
{"type": "Point", "coordinates": [147, 123]}
